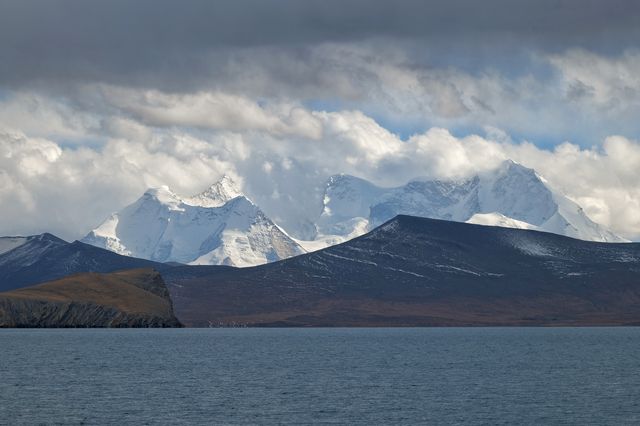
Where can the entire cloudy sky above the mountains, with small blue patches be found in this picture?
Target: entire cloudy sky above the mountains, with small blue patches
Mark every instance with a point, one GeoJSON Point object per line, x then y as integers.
{"type": "Point", "coordinates": [101, 100]}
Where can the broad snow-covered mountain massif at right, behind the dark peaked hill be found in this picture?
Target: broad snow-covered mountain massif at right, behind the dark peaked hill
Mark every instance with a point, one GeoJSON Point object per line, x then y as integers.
{"type": "Point", "coordinates": [510, 196]}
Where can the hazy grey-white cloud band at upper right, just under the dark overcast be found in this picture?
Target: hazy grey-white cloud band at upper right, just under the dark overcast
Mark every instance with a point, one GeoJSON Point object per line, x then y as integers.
{"type": "Point", "coordinates": [574, 94]}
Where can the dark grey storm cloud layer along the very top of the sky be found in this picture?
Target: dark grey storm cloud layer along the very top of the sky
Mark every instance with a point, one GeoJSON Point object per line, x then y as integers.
{"type": "Point", "coordinates": [158, 42]}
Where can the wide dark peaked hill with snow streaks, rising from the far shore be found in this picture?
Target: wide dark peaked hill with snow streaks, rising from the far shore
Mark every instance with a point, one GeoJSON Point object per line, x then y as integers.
{"type": "Point", "coordinates": [417, 272]}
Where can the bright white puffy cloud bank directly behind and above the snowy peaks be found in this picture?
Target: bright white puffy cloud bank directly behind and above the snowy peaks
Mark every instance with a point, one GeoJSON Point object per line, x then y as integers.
{"type": "Point", "coordinates": [45, 186]}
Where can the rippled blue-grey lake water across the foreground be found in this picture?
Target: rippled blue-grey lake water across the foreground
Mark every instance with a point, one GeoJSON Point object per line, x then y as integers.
{"type": "Point", "coordinates": [440, 376]}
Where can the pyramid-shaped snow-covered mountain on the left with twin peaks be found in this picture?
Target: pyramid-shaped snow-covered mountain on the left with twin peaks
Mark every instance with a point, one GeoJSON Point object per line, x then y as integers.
{"type": "Point", "coordinates": [220, 226]}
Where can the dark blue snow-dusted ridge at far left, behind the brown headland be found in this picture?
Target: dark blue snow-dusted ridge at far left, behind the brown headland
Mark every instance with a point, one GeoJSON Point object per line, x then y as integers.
{"type": "Point", "coordinates": [36, 259]}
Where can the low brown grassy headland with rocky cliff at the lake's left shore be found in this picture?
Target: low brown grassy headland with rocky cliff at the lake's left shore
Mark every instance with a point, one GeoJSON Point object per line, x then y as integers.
{"type": "Point", "coordinates": [135, 298]}
